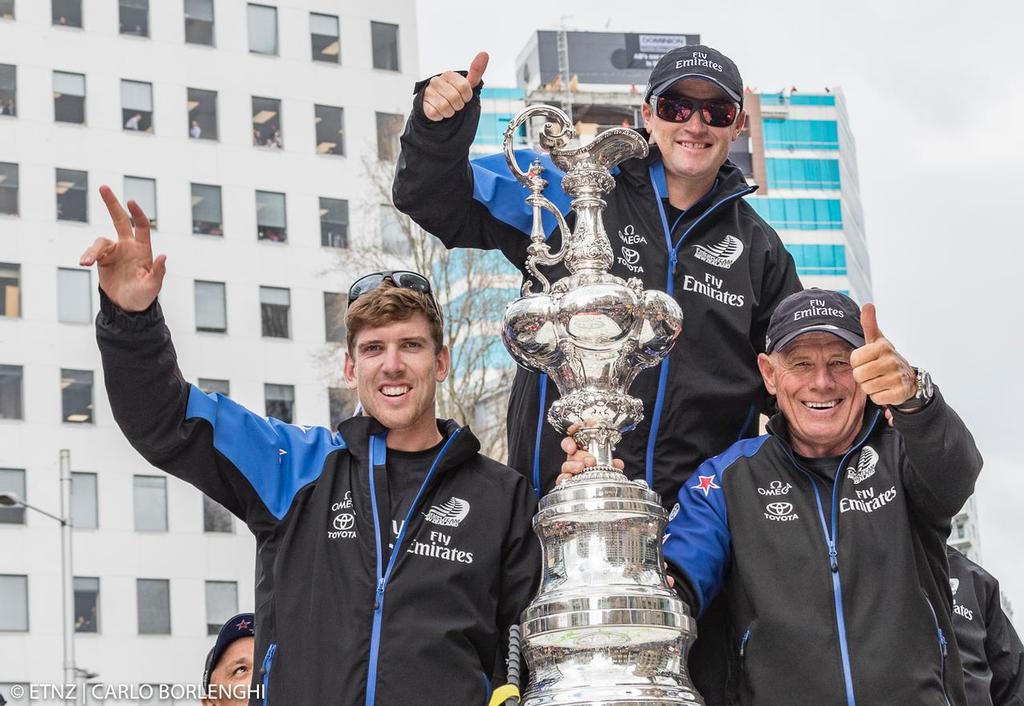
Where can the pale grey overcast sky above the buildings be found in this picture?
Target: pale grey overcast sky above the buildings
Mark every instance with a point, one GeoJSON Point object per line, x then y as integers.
{"type": "Point", "coordinates": [935, 94]}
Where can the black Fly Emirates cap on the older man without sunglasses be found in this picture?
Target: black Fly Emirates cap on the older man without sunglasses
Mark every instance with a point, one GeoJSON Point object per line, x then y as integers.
{"type": "Point", "coordinates": [815, 310]}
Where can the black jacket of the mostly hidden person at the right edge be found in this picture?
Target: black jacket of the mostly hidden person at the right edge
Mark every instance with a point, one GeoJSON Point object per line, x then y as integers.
{"type": "Point", "coordinates": [990, 648]}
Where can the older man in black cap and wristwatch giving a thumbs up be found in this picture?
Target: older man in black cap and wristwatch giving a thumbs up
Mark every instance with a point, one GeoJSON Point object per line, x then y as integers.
{"type": "Point", "coordinates": [827, 536]}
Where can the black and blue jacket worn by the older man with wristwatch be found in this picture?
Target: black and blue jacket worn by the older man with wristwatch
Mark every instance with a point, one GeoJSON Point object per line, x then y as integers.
{"type": "Point", "coordinates": [854, 609]}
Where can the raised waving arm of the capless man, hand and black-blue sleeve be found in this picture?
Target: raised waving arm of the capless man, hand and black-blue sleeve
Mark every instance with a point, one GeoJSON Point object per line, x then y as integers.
{"type": "Point", "coordinates": [253, 467]}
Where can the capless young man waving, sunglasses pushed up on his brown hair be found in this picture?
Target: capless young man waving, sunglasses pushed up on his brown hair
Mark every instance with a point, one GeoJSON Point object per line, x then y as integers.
{"type": "Point", "coordinates": [392, 556]}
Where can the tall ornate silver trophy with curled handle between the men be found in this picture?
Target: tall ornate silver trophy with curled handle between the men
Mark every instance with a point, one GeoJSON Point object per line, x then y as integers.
{"type": "Point", "coordinates": [605, 630]}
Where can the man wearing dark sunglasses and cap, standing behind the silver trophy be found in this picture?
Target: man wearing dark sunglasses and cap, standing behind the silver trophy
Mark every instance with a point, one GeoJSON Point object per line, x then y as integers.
{"type": "Point", "coordinates": [677, 221]}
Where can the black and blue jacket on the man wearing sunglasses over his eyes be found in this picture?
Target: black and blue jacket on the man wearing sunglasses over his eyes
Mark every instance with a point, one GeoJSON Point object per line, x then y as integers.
{"type": "Point", "coordinates": [724, 265]}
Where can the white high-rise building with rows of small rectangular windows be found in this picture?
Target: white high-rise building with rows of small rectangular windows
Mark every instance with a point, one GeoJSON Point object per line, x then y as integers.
{"type": "Point", "coordinates": [244, 130]}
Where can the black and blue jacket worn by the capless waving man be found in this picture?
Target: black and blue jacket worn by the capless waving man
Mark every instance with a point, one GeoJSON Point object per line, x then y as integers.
{"type": "Point", "coordinates": [336, 624]}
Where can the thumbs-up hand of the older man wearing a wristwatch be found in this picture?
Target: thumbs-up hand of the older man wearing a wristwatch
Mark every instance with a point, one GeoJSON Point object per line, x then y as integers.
{"type": "Point", "coordinates": [884, 376]}
